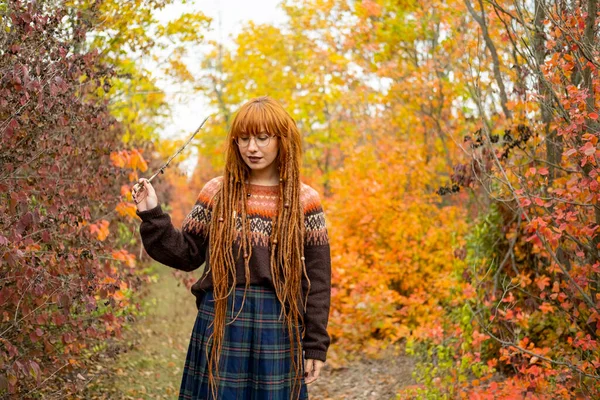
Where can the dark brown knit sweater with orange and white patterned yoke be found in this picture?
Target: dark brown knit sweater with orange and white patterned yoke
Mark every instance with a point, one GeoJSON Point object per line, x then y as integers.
{"type": "Point", "coordinates": [188, 249]}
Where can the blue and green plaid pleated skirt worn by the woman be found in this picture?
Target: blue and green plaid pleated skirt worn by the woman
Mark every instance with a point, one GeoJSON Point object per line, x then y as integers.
{"type": "Point", "coordinates": [255, 360]}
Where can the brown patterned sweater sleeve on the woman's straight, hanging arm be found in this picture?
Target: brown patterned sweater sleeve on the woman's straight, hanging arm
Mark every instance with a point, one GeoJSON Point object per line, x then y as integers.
{"type": "Point", "coordinates": [318, 268]}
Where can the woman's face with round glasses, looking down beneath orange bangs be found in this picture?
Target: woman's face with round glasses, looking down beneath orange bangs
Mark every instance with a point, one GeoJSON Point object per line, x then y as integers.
{"type": "Point", "coordinates": [259, 152]}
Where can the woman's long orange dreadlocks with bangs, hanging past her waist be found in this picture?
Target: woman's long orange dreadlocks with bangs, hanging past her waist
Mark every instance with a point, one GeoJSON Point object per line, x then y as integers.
{"type": "Point", "coordinates": [287, 238]}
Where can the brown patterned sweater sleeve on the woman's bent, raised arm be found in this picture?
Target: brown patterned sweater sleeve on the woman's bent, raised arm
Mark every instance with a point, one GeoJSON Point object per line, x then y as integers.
{"type": "Point", "coordinates": [183, 249]}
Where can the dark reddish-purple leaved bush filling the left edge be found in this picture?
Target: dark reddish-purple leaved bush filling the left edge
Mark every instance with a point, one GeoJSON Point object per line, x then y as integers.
{"type": "Point", "coordinates": [65, 282]}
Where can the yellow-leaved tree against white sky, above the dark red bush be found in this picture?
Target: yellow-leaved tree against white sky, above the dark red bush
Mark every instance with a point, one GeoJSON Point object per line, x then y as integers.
{"type": "Point", "coordinates": [130, 38]}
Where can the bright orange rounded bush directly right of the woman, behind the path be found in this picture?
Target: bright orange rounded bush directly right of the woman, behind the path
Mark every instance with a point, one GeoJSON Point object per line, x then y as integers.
{"type": "Point", "coordinates": [392, 244]}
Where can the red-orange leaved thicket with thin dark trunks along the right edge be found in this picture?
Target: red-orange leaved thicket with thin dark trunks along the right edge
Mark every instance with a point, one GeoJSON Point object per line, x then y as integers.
{"type": "Point", "coordinates": [541, 307]}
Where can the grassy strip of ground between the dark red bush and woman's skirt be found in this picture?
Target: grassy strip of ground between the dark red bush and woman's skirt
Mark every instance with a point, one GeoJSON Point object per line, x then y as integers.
{"type": "Point", "coordinates": [151, 363]}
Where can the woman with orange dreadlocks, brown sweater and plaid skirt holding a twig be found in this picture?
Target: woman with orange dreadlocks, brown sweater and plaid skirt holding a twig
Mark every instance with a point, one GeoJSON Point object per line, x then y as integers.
{"type": "Point", "coordinates": [265, 290]}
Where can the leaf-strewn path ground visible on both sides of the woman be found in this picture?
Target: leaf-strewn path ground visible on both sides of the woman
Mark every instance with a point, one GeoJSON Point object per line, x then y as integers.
{"type": "Point", "coordinates": [150, 365]}
